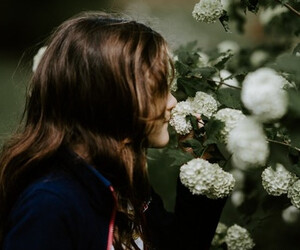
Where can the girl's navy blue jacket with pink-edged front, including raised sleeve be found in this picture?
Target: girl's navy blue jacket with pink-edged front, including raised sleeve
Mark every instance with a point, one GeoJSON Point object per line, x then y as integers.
{"type": "Point", "coordinates": [72, 208]}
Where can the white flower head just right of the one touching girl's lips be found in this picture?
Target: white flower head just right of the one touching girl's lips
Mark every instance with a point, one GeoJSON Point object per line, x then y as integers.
{"type": "Point", "coordinates": [203, 104]}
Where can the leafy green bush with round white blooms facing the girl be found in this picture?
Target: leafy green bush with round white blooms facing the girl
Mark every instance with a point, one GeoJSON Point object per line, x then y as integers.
{"type": "Point", "coordinates": [248, 99]}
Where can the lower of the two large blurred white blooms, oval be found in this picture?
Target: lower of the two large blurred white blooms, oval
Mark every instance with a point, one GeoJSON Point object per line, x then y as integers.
{"type": "Point", "coordinates": [248, 145]}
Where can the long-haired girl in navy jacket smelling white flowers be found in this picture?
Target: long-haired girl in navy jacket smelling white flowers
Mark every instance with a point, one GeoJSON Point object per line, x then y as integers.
{"type": "Point", "coordinates": [75, 176]}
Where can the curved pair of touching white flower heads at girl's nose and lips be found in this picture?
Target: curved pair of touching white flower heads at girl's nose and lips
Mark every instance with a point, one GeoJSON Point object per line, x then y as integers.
{"type": "Point", "coordinates": [202, 104]}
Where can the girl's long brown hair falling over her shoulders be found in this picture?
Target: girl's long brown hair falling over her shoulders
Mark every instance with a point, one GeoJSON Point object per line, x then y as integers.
{"type": "Point", "coordinates": [102, 83]}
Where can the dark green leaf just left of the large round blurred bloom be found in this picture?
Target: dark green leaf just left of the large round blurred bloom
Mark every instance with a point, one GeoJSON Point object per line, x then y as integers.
{"type": "Point", "coordinates": [229, 97]}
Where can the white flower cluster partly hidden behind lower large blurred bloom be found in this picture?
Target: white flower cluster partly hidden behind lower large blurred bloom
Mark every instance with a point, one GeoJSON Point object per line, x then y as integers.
{"type": "Point", "coordinates": [230, 117]}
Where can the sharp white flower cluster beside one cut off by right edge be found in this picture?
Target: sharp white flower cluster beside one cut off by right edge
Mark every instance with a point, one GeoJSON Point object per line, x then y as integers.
{"type": "Point", "coordinates": [277, 182]}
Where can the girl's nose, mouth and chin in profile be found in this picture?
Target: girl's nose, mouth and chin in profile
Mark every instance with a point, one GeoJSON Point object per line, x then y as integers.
{"type": "Point", "coordinates": [159, 136]}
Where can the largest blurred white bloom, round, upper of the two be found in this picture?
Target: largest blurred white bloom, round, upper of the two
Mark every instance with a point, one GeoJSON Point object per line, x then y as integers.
{"type": "Point", "coordinates": [263, 94]}
